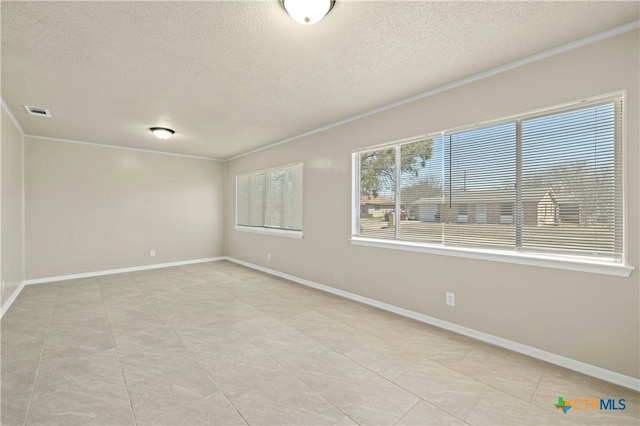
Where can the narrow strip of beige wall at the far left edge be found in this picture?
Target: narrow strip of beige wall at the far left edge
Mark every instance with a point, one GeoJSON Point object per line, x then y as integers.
{"type": "Point", "coordinates": [12, 213]}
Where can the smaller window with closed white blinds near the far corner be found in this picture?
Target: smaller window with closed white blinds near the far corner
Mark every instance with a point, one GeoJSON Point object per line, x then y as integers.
{"type": "Point", "coordinates": [270, 199]}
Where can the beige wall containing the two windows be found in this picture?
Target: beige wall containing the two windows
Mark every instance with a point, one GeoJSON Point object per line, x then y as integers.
{"type": "Point", "coordinates": [586, 317]}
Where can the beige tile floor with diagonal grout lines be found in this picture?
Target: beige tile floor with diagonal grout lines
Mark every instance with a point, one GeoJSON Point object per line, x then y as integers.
{"type": "Point", "coordinates": [218, 343]}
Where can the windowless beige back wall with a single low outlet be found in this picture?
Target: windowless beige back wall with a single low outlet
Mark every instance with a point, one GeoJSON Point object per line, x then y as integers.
{"type": "Point", "coordinates": [91, 208]}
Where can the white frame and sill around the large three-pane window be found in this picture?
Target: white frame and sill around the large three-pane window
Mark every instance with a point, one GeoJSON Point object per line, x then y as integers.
{"type": "Point", "coordinates": [602, 265]}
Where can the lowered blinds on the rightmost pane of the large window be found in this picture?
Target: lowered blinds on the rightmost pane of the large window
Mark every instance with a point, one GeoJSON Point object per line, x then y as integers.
{"type": "Point", "coordinates": [576, 157]}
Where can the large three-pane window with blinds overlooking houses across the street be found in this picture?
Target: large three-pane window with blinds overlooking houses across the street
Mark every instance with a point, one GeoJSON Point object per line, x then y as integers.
{"type": "Point", "coordinates": [539, 183]}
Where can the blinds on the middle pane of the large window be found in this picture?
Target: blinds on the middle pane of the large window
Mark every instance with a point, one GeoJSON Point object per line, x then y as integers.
{"type": "Point", "coordinates": [480, 176]}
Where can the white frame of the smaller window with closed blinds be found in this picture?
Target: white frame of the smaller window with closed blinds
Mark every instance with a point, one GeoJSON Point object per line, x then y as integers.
{"type": "Point", "coordinates": [264, 229]}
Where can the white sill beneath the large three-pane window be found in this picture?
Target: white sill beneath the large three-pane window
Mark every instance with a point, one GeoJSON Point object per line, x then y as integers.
{"type": "Point", "coordinates": [595, 266]}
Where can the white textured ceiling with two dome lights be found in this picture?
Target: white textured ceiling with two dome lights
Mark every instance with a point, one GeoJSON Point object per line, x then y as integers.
{"type": "Point", "coordinates": [230, 77]}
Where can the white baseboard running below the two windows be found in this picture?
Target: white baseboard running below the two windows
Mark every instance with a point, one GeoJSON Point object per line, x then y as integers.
{"type": "Point", "coordinates": [571, 364]}
